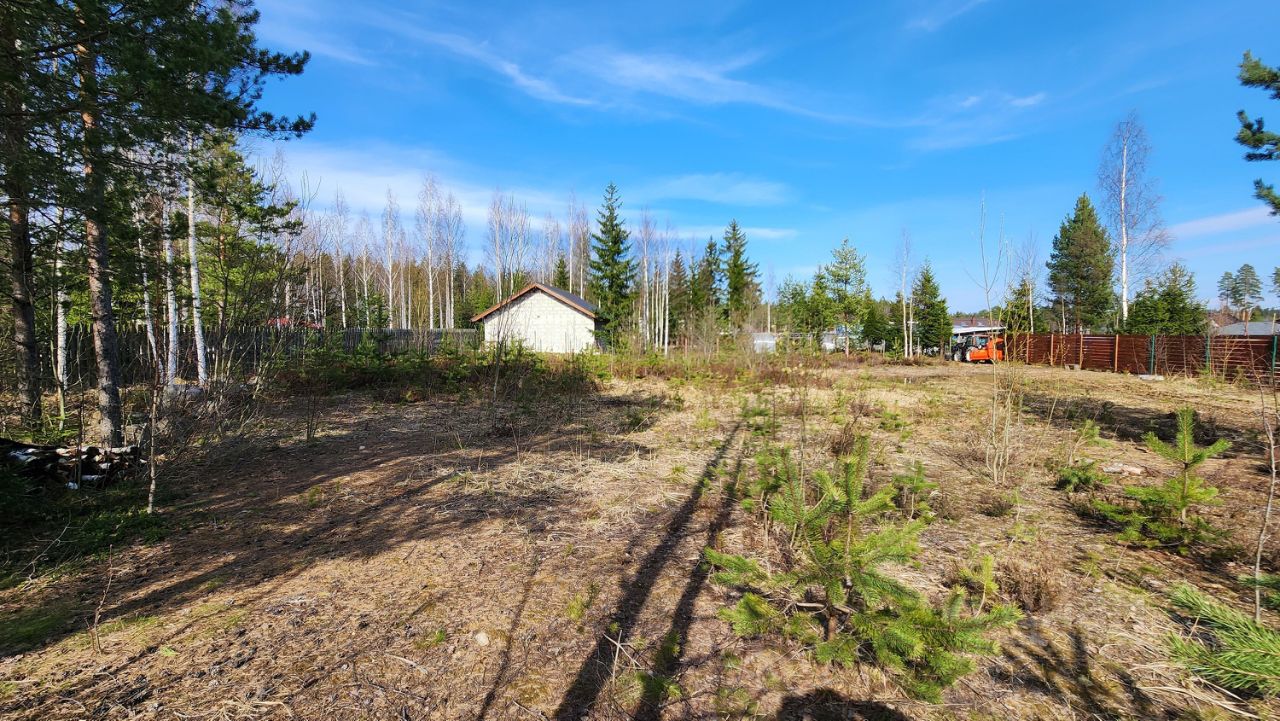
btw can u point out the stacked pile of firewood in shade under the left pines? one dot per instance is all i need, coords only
(72, 466)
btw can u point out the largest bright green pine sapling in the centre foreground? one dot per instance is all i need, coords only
(853, 610)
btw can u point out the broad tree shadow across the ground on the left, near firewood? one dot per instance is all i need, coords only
(360, 492)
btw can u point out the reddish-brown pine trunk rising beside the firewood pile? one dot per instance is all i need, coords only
(106, 344)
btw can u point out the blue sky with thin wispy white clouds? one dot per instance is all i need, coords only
(806, 122)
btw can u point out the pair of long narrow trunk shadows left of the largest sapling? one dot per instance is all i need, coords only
(596, 670)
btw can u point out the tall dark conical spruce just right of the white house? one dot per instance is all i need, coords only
(611, 268)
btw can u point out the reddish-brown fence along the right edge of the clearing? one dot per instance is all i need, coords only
(1251, 358)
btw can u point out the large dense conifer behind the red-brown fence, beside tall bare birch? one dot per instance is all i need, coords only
(1081, 270)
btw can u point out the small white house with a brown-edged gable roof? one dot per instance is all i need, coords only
(543, 320)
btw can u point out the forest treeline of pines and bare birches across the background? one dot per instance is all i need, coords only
(131, 203)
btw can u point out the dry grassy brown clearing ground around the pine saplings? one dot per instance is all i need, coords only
(450, 559)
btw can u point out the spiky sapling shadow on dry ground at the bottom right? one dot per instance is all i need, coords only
(1067, 670)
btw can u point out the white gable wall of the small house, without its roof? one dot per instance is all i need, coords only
(542, 323)
